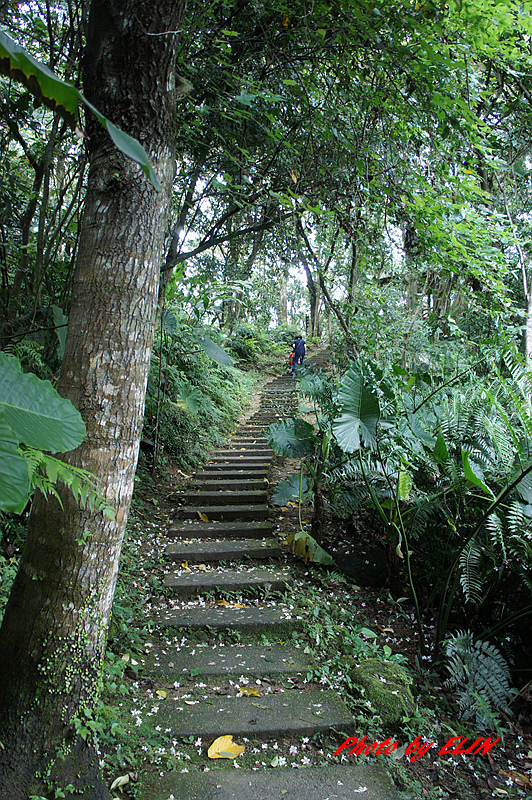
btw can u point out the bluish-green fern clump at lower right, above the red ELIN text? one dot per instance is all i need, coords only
(480, 677)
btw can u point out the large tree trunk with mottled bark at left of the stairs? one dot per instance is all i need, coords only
(53, 636)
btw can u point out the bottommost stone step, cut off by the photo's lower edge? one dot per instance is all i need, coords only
(335, 782)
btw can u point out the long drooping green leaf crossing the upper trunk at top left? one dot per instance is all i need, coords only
(64, 98)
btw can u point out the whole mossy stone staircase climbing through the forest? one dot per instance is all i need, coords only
(224, 517)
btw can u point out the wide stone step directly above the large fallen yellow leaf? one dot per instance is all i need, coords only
(289, 713)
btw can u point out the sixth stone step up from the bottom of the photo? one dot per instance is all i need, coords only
(224, 550)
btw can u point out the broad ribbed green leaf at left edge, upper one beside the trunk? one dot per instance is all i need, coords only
(37, 415)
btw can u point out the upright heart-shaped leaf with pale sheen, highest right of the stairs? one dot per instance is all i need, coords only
(357, 424)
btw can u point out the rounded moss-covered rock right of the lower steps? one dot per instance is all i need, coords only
(387, 687)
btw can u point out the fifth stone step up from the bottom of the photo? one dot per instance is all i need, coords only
(232, 580)
